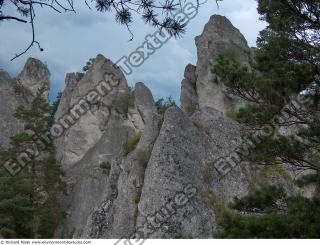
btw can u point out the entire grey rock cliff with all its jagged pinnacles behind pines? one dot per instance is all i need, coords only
(131, 172)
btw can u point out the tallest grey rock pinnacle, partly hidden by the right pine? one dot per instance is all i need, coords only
(218, 37)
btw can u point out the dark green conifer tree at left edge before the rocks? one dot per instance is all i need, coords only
(28, 205)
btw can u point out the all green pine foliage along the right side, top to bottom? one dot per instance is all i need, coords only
(286, 64)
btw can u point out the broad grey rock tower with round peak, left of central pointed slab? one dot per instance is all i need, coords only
(108, 208)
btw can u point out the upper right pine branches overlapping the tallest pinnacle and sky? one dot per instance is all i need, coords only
(286, 63)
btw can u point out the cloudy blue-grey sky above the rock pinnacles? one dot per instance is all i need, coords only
(69, 40)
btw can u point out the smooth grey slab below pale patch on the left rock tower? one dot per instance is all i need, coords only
(91, 192)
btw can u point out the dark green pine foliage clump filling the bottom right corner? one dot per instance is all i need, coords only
(301, 219)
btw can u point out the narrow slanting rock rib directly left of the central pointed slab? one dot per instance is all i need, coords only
(123, 212)
